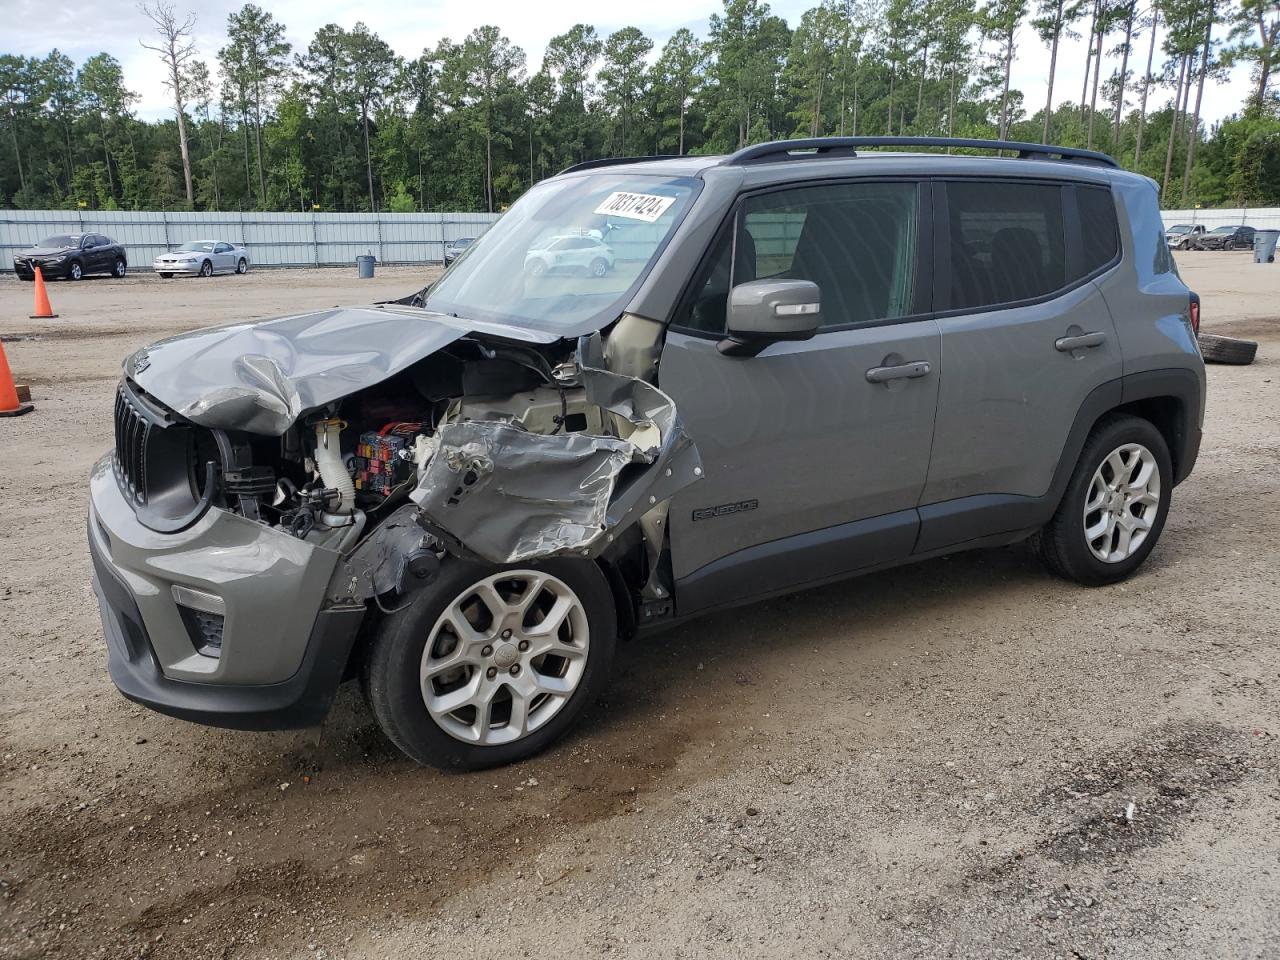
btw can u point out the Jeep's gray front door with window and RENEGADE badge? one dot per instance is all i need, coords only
(815, 454)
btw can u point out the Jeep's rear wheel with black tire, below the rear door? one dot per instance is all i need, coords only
(1064, 545)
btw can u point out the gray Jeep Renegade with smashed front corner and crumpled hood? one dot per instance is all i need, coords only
(808, 360)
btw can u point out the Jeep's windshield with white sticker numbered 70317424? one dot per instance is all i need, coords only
(568, 254)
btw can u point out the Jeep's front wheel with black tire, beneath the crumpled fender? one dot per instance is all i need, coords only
(399, 653)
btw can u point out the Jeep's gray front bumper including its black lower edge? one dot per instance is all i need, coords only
(284, 653)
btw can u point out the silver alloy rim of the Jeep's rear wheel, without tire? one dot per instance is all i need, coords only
(1122, 504)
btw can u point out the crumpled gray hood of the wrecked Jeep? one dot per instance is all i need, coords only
(263, 376)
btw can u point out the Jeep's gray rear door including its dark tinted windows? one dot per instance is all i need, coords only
(1027, 337)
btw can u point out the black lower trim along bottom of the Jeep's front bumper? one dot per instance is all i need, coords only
(303, 701)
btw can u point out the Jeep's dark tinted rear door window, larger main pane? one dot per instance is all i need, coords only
(1007, 243)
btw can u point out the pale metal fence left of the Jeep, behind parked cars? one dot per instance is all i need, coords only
(273, 240)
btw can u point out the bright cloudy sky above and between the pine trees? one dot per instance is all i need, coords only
(36, 26)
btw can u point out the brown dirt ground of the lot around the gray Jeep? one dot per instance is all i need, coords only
(963, 758)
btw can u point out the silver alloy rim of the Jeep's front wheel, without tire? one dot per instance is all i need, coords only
(505, 657)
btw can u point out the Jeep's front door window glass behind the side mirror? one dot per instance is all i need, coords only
(857, 241)
